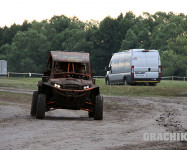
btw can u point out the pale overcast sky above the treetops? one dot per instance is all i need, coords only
(16, 11)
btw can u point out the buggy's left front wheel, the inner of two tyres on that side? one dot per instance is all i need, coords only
(41, 106)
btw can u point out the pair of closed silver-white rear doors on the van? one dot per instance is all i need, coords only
(145, 64)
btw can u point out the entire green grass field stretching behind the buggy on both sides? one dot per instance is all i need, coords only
(165, 88)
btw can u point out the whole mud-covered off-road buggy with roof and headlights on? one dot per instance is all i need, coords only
(67, 84)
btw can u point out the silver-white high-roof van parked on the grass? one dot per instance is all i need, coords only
(134, 66)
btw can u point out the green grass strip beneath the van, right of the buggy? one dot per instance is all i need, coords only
(165, 88)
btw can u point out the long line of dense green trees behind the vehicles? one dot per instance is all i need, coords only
(26, 46)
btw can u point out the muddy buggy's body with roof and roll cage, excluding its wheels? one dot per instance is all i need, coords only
(68, 87)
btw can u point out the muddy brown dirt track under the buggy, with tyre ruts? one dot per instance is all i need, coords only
(126, 119)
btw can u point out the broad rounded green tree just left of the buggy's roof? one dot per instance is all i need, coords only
(29, 52)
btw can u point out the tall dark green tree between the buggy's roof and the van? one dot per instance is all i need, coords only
(106, 44)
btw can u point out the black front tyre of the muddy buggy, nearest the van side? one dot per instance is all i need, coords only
(98, 115)
